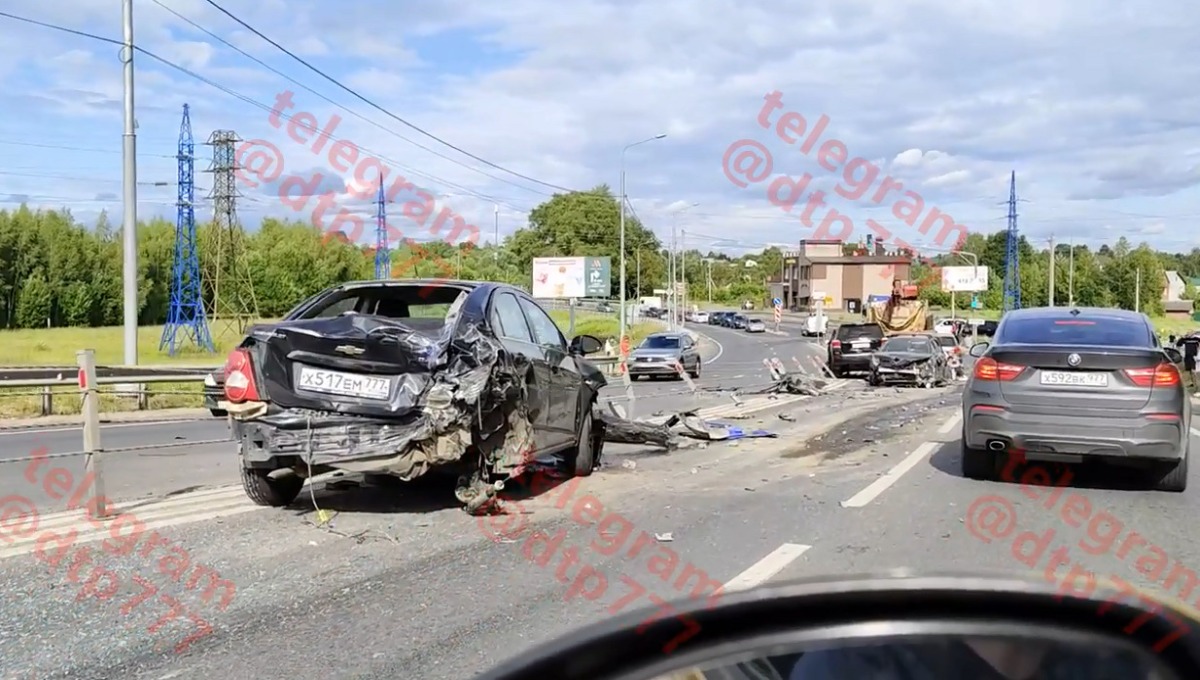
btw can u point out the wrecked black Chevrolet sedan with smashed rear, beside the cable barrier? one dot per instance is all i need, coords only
(404, 378)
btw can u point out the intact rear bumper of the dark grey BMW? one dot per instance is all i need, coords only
(1051, 436)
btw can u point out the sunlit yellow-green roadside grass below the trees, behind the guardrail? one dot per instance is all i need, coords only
(58, 347)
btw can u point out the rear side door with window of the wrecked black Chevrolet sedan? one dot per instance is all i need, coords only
(513, 330)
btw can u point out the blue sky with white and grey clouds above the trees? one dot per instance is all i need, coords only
(496, 106)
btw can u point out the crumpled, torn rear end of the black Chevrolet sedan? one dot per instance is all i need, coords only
(463, 388)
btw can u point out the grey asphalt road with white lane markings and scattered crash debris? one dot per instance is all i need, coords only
(370, 582)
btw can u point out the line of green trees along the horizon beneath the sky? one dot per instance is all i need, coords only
(57, 272)
